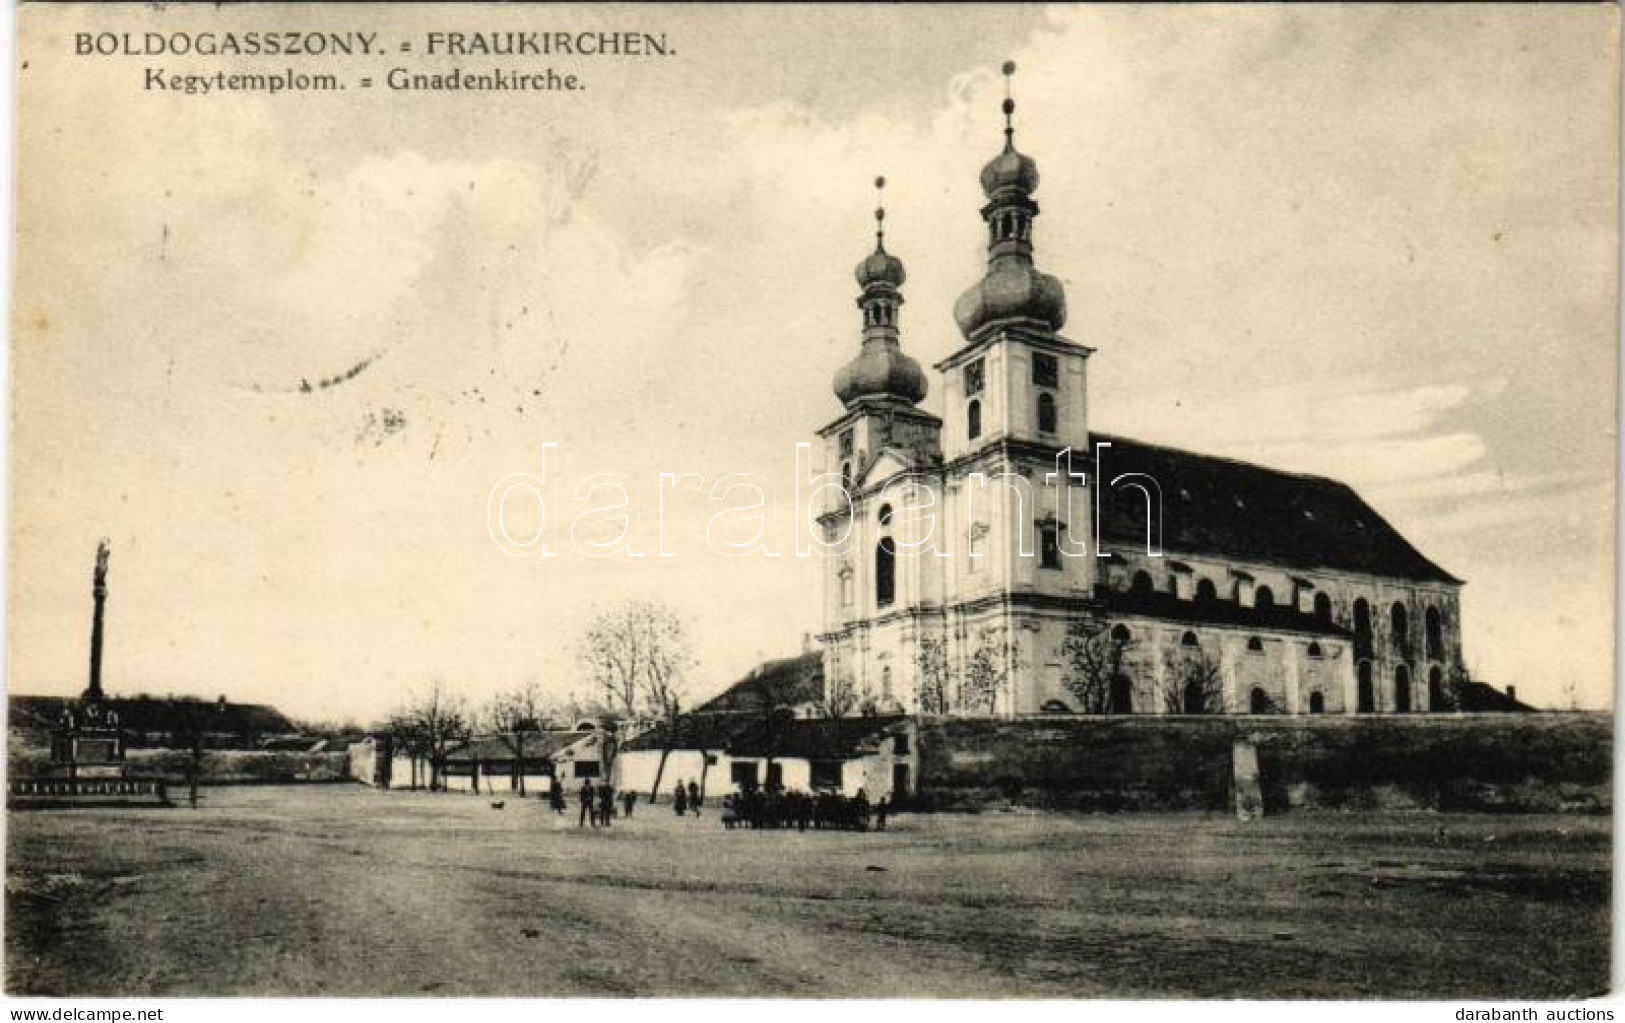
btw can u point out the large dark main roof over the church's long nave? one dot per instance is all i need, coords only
(1242, 512)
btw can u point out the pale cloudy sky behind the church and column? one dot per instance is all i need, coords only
(1367, 243)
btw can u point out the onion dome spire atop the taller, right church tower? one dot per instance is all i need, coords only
(1013, 291)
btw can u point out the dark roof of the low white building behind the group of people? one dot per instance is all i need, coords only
(756, 736)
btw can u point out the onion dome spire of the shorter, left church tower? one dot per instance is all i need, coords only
(880, 369)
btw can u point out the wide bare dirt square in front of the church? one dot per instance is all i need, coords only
(337, 891)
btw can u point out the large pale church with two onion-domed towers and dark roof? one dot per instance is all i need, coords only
(1003, 559)
